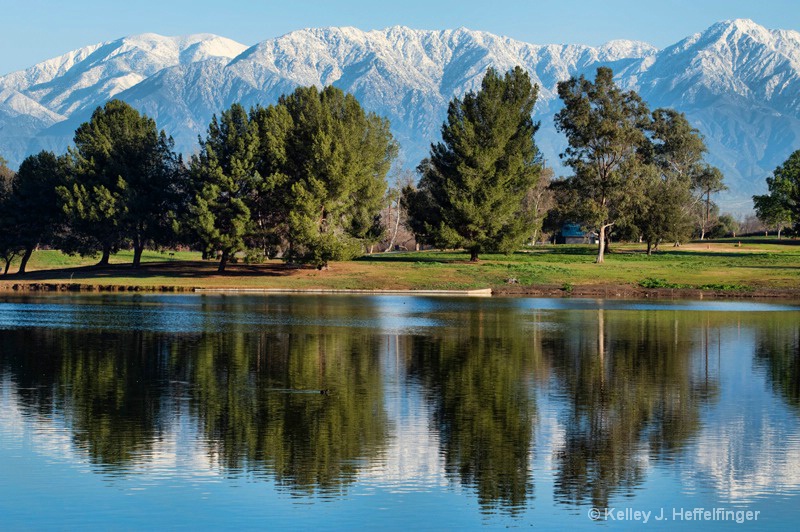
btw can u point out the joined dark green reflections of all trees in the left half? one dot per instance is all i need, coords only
(256, 397)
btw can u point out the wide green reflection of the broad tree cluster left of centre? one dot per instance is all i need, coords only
(306, 407)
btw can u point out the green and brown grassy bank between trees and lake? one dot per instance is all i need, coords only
(721, 266)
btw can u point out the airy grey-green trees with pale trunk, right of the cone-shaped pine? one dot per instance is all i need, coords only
(633, 171)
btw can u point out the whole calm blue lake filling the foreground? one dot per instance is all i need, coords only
(132, 412)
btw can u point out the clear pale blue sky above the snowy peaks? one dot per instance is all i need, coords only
(34, 30)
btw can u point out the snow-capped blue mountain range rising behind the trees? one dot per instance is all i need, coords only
(737, 82)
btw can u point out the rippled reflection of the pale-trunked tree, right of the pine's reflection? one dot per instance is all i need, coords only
(631, 396)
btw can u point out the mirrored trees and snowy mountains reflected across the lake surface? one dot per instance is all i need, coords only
(317, 395)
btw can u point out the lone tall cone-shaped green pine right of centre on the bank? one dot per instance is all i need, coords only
(477, 178)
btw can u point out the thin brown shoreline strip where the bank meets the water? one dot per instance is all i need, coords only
(603, 290)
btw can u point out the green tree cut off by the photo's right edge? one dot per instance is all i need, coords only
(782, 204)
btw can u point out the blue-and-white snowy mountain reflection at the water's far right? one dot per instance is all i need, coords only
(749, 446)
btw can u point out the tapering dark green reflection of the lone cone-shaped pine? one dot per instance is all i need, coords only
(478, 379)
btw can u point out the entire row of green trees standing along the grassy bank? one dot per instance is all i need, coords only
(306, 179)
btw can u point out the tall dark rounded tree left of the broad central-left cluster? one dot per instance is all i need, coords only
(124, 183)
